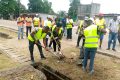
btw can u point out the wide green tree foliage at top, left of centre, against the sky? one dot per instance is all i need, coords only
(40, 6)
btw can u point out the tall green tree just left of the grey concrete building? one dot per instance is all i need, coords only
(73, 8)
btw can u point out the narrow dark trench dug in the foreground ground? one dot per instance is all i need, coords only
(50, 73)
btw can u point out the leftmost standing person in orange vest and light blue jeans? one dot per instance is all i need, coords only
(20, 24)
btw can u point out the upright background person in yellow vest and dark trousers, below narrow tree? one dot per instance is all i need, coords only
(69, 24)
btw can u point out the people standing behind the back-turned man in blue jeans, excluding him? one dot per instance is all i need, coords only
(113, 26)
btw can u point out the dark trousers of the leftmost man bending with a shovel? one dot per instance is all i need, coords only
(31, 47)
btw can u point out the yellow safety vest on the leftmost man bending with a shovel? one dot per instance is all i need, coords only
(38, 35)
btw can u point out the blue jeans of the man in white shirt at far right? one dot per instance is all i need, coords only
(112, 37)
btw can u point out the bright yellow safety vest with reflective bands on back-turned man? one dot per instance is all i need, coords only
(91, 37)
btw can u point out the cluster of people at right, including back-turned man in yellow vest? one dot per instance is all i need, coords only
(92, 31)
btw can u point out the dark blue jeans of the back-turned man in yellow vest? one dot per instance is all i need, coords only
(89, 52)
